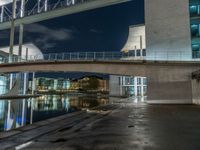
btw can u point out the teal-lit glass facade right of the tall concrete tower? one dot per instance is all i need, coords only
(195, 27)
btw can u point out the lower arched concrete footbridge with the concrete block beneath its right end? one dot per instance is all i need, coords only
(169, 83)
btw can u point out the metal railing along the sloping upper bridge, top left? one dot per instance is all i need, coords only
(34, 11)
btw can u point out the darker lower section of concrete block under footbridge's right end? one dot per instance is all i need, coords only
(169, 92)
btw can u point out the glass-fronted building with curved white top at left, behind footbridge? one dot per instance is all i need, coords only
(7, 81)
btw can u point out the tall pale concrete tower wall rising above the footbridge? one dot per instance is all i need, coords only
(167, 29)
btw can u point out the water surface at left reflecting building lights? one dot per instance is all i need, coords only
(18, 113)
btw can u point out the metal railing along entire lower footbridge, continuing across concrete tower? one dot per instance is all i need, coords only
(106, 56)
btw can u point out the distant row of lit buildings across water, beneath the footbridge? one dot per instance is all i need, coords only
(65, 84)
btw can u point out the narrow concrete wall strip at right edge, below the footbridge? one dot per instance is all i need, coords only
(196, 91)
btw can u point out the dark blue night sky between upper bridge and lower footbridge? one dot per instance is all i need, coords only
(104, 29)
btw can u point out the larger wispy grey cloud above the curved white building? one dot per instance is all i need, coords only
(48, 37)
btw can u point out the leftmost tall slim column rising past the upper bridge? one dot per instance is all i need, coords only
(12, 32)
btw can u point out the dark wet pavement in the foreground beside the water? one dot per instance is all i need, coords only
(122, 125)
